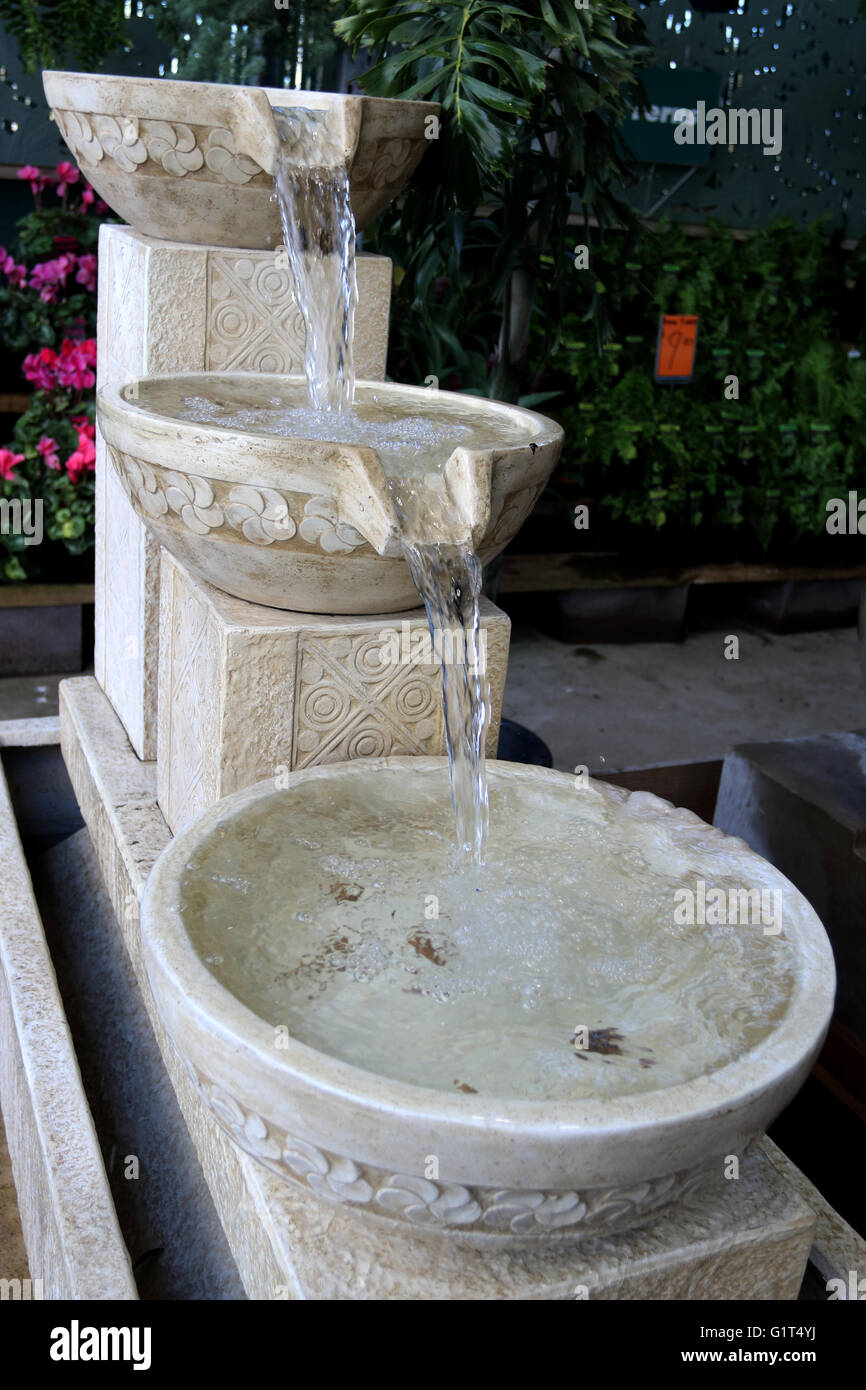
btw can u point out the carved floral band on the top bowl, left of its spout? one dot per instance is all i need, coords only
(177, 149)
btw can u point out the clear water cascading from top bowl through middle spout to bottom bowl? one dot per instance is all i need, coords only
(319, 229)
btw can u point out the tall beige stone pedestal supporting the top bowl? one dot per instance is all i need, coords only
(172, 308)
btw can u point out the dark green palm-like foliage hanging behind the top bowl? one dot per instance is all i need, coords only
(532, 95)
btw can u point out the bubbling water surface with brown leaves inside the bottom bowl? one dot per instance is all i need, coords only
(336, 913)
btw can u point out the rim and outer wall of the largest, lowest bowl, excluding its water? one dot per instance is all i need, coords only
(636, 1149)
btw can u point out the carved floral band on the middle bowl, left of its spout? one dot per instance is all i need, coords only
(261, 515)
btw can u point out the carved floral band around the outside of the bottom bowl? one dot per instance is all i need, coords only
(441, 1206)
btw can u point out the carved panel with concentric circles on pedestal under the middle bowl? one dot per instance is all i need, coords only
(351, 703)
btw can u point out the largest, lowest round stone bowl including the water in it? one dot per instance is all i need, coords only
(558, 1046)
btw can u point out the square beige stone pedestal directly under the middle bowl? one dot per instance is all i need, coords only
(247, 692)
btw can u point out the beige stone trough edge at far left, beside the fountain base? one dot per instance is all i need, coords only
(70, 1227)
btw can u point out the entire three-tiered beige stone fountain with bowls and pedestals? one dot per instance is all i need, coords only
(402, 1081)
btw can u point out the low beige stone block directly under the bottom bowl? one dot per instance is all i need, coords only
(742, 1241)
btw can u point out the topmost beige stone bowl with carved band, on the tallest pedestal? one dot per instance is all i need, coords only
(194, 162)
